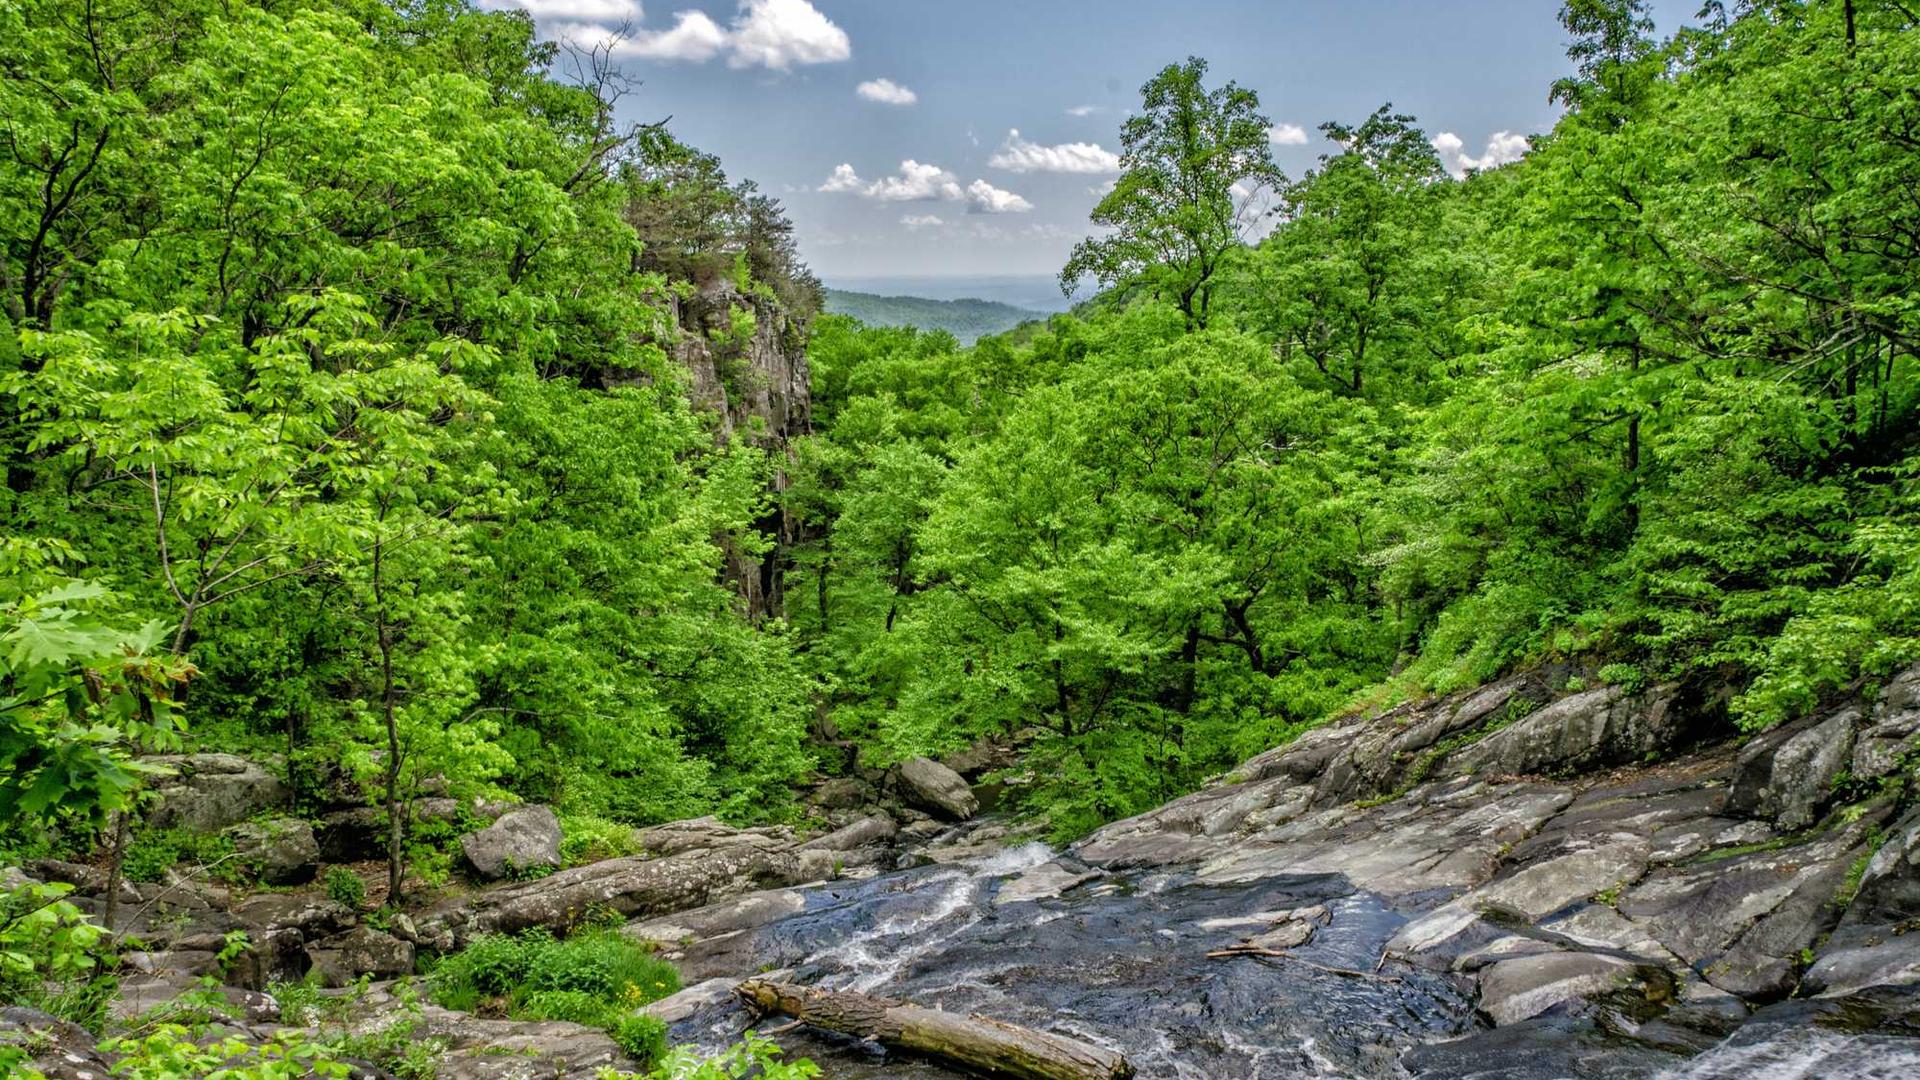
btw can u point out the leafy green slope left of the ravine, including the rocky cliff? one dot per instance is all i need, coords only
(348, 412)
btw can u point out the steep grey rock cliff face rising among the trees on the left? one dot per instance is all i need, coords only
(748, 364)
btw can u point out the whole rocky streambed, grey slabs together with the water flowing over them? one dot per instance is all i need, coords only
(1497, 885)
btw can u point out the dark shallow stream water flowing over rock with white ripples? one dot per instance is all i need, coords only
(1122, 962)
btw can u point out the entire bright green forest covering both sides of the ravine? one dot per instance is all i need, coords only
(381, 403)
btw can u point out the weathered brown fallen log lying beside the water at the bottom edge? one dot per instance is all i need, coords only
(984, 1046)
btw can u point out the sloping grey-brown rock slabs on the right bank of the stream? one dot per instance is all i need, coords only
(1552, 873)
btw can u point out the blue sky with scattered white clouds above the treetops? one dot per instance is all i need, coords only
(886, 126)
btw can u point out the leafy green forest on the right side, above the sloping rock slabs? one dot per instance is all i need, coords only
(1644, 401)
